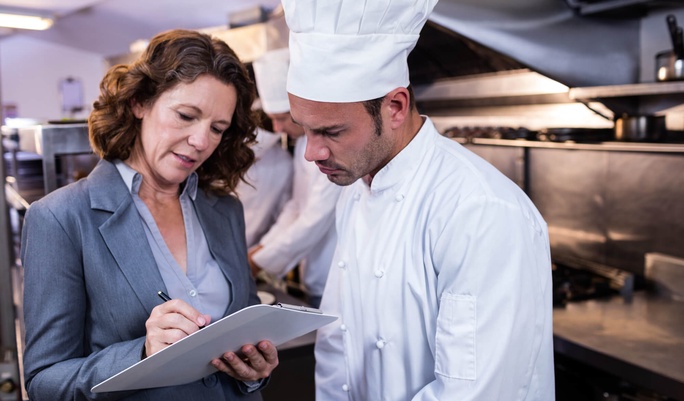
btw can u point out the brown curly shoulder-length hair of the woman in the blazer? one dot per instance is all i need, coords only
(173, 57)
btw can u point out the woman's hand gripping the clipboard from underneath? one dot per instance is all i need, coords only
(256, 362)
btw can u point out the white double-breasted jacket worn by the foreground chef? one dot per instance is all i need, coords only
(442, 282)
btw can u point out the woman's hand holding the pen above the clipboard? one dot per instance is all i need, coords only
(169, 322)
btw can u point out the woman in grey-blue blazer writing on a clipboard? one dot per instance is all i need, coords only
(173, 130)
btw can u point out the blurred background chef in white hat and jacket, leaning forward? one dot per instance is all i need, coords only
(303, 236)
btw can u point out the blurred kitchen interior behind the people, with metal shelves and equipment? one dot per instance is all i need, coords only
(580, 102)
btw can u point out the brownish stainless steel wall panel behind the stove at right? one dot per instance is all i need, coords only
(609, 207)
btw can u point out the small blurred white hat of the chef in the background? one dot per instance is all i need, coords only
(270, 72)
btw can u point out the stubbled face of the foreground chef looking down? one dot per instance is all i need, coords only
(342, 139)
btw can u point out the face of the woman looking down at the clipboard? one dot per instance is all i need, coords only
(181, 129)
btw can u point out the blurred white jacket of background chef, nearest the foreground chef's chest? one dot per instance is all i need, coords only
(305, 230)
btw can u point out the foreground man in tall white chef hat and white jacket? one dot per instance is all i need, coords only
(442, 275)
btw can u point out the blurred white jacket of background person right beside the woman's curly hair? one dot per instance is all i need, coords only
(271, 185)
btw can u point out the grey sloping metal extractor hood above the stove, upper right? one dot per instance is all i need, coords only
(546, 36)
